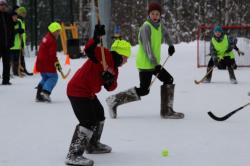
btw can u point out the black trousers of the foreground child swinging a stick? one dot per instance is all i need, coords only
(89, 112)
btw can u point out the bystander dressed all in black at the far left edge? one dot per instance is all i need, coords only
(6, 40)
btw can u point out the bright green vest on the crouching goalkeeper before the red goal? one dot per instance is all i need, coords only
(221, 48)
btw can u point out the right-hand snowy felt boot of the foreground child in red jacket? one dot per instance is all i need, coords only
(95, 146)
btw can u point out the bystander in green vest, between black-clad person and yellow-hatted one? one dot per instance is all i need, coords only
(16, 49)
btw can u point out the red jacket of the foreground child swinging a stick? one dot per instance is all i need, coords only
(87, 81)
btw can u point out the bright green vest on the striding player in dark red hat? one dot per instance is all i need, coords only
(142, 60)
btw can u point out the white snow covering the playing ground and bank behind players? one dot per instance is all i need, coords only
(40, 133)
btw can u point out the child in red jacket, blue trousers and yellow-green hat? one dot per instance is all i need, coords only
(47, 63)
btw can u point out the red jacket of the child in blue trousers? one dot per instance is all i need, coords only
(46, 57)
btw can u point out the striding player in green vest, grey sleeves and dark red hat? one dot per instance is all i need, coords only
(151, 35)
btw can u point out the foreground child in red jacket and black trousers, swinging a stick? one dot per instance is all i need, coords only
(82, 89)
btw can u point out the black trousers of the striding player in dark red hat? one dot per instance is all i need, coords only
(146, 77)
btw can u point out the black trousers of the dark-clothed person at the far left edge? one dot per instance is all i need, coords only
(6, 66)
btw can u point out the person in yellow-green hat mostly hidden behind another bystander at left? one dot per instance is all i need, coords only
(22, 13)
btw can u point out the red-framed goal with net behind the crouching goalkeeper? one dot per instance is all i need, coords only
(204, 35)
